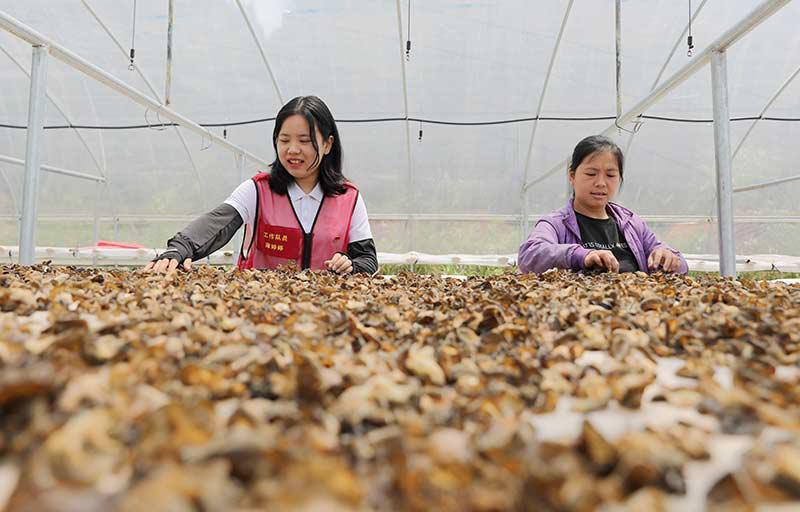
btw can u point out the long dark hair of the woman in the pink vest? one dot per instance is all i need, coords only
(319, 117)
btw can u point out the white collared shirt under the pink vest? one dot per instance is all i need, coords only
(243, 199)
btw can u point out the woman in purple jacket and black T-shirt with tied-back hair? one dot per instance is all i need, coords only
(592, 233)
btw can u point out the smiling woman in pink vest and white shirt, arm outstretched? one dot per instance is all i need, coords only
(304, 212)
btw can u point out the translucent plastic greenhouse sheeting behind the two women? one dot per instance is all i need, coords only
(470, 62)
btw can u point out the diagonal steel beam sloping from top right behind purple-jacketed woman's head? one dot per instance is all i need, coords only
(757, 16)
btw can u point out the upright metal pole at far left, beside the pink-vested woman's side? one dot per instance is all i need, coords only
(33, 154)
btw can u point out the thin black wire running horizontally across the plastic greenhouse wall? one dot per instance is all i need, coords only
(398, 119)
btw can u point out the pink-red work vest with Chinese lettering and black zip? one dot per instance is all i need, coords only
(279, 238)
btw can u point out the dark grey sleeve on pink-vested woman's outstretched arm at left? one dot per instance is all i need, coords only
(205, 234)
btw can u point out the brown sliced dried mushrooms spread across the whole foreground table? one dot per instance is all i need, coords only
(225, 390)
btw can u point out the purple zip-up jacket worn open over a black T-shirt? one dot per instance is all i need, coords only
(556, 241)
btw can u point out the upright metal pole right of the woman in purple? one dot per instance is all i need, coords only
(722, 156)
